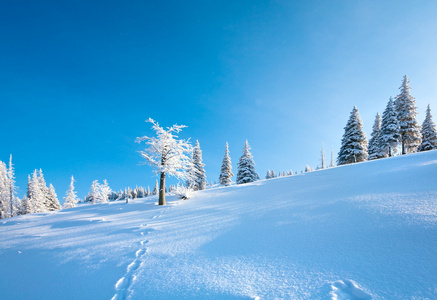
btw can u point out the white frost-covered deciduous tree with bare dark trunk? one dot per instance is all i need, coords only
(166, 153)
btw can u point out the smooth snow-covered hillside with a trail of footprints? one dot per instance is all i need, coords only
(363, 231)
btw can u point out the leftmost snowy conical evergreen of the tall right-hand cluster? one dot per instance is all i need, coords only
(354, 143)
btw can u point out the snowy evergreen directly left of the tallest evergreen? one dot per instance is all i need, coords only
(389, 133)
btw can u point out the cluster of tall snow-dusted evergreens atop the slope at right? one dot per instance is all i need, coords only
(398, 127)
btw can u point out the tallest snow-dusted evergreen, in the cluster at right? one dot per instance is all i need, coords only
(406, 109)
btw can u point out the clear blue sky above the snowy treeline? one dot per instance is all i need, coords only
(79, 78)
